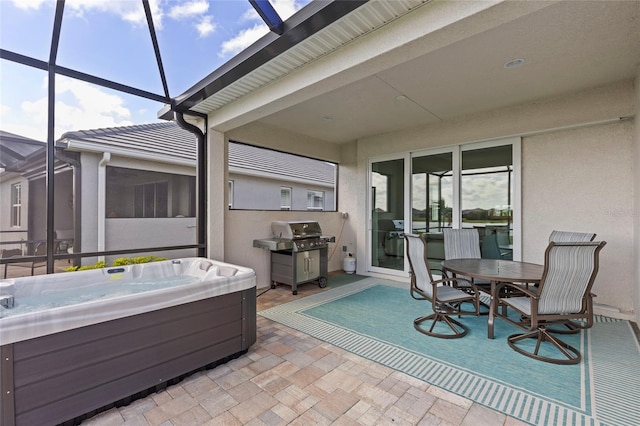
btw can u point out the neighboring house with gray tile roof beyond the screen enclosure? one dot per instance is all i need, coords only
(125, 174)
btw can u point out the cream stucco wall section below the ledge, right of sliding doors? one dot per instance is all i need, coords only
(582, 180)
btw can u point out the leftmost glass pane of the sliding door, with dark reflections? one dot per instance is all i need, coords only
(387, 214)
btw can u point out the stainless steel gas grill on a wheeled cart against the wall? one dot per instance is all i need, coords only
(298, 253)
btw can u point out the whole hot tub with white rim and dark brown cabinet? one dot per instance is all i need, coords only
(77, 342)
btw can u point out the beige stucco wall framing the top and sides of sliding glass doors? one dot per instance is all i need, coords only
(595, 161)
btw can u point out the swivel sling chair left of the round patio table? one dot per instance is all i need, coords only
(445, 299)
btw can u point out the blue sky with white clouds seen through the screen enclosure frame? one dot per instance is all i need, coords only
(110, 39)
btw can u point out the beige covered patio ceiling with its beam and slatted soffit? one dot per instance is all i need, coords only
(387, 66)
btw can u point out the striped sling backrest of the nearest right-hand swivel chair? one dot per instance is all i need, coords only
(569, 272)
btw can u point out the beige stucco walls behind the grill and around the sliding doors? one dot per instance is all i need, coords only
(577, 175)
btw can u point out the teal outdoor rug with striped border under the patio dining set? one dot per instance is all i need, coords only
(374, 319)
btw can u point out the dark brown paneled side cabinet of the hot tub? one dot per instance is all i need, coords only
(55, 378)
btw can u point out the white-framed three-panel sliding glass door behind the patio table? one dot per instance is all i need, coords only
(463, 186)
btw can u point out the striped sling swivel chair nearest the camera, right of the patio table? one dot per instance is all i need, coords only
(564, 294)
